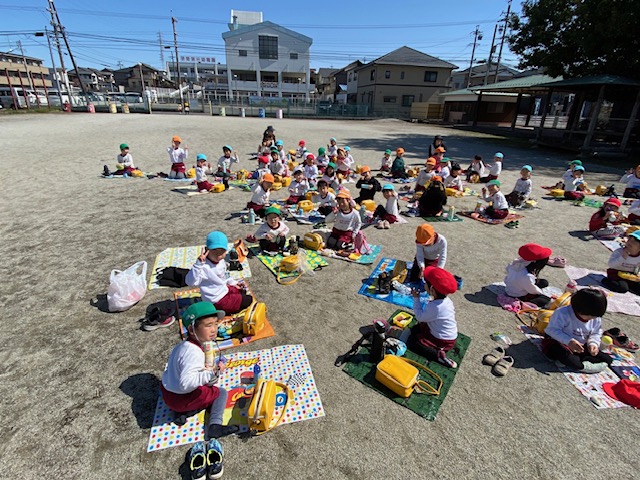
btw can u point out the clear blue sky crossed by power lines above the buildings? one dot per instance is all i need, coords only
(123, 33)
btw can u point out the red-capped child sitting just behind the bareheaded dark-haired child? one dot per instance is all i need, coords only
(522, 280)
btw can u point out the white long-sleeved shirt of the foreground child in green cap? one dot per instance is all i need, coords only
(185, 369)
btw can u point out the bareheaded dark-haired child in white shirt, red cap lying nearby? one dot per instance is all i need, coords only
(574, 332)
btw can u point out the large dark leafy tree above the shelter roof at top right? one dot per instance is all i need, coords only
(575, 38)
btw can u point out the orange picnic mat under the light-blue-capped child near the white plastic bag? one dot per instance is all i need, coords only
(234, 335)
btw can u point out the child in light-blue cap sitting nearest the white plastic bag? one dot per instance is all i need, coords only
(210, 274)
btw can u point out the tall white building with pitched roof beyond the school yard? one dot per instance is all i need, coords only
(265, 59)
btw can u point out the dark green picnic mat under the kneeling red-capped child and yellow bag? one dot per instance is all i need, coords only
(426, 406)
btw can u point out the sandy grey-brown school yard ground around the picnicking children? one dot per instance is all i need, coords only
(78, 386)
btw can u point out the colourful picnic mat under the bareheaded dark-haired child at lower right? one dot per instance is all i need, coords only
(589, 384)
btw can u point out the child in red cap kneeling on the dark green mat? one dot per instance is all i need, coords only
(437, 330)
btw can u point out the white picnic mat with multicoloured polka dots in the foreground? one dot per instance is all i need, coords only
(288, 364)
